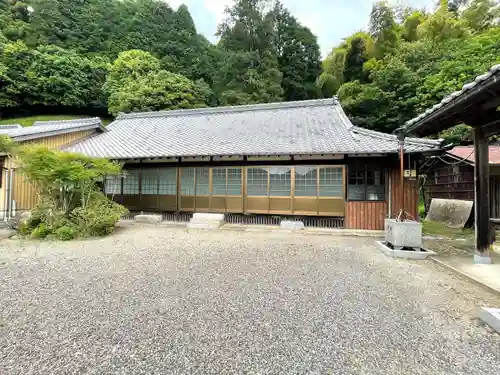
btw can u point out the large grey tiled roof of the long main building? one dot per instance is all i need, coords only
(293, 128)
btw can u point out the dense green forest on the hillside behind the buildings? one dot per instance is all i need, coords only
(109, 56)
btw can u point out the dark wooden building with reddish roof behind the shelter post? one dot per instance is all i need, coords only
(451, 176)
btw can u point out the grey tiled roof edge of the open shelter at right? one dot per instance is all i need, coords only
(480, 81)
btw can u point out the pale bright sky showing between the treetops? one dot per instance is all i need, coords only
(329, 20)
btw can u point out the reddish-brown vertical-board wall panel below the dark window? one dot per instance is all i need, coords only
(365, 215)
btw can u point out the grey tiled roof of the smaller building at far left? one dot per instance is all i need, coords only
(42, 129)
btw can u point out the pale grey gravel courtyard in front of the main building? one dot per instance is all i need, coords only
(166, 301)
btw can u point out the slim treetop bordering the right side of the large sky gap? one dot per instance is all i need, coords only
(384, 29)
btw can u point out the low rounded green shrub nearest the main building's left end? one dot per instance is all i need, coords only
(99, 217)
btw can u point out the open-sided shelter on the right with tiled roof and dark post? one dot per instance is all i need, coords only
(475, 104)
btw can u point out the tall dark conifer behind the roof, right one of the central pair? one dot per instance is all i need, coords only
(298, 55)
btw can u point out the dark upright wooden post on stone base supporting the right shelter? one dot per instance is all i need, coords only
(482, 196)
